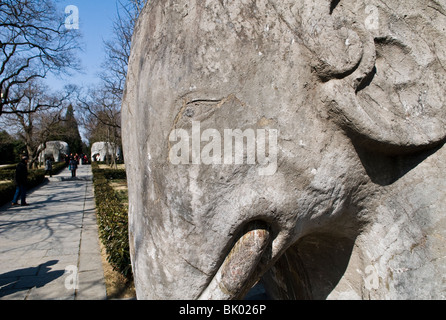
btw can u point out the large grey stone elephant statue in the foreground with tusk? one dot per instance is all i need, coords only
(295, 143)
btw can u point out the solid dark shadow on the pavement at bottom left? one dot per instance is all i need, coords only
(28, 278)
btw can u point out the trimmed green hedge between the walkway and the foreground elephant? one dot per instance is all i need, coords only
(112, 220)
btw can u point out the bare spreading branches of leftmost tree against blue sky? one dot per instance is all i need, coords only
(33, 42)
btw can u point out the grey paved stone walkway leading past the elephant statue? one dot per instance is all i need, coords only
(44, 246)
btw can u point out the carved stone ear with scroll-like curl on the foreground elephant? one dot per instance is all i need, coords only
(382, 82)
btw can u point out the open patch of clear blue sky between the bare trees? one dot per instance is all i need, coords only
(95, 24)
